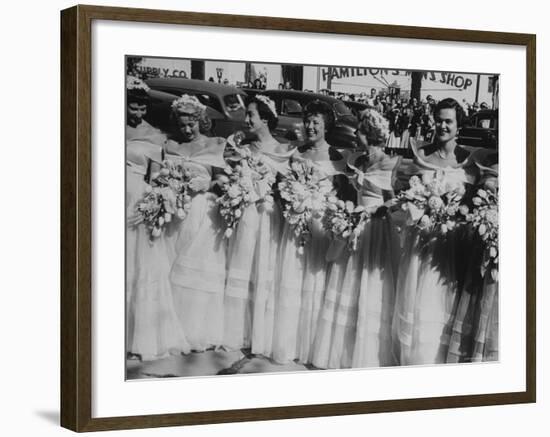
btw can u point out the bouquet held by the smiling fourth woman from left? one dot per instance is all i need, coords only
(304, 191)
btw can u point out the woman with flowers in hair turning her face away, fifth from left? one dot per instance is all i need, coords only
(355, 324)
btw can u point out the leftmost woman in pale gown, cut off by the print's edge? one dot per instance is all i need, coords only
(153, 330)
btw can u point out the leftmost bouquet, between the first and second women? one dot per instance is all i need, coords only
(165, 197)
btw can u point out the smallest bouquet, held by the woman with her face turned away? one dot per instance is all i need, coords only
(344, 220)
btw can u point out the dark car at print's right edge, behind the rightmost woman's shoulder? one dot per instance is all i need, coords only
(481, 130)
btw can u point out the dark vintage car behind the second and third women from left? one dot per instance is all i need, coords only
(226, 101)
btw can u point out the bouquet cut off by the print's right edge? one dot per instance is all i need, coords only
(484, 219)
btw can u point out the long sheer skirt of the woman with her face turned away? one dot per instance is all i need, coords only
(354, 329)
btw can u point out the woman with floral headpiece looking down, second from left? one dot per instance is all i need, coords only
(198, 270)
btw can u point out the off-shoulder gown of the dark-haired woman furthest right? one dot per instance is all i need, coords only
(427, 287)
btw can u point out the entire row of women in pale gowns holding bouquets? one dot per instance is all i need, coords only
(310, 254)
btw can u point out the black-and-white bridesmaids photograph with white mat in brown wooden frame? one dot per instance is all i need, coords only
(268, 218)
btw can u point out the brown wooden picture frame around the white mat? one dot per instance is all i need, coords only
(76, 217)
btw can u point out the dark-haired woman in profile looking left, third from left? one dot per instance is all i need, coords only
(253, 248)
